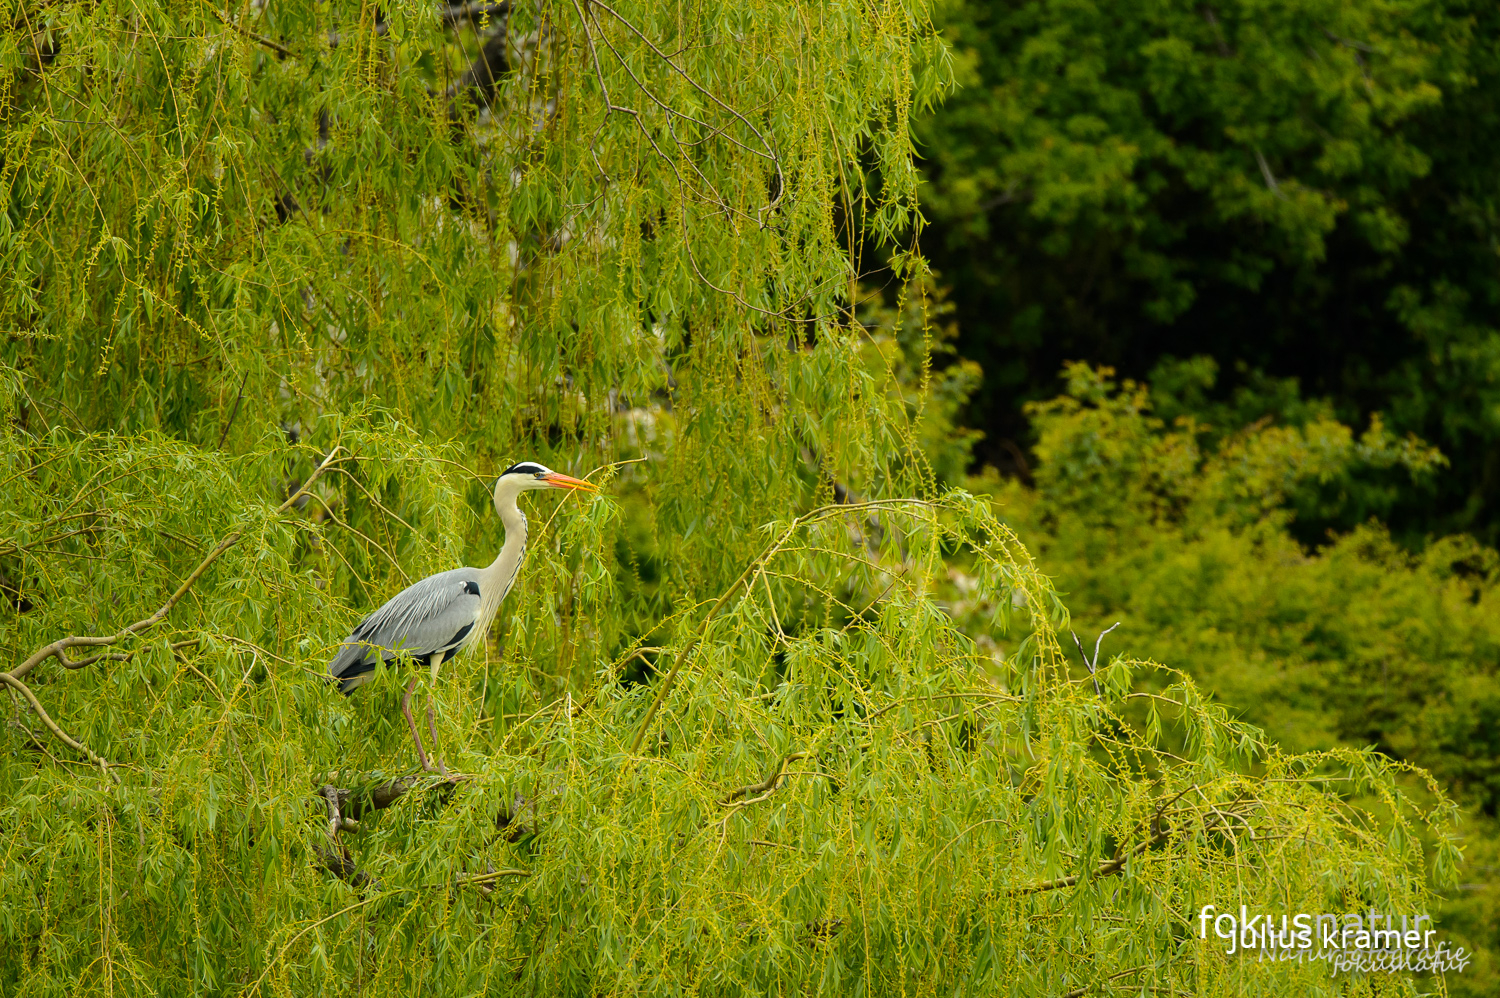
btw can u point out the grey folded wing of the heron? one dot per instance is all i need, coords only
(430, 618)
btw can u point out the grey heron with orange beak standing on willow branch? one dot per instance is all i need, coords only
(448, 613)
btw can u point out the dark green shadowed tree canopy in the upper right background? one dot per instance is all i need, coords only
(1301, 194)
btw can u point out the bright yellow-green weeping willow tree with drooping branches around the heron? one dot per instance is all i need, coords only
(286, 283)
